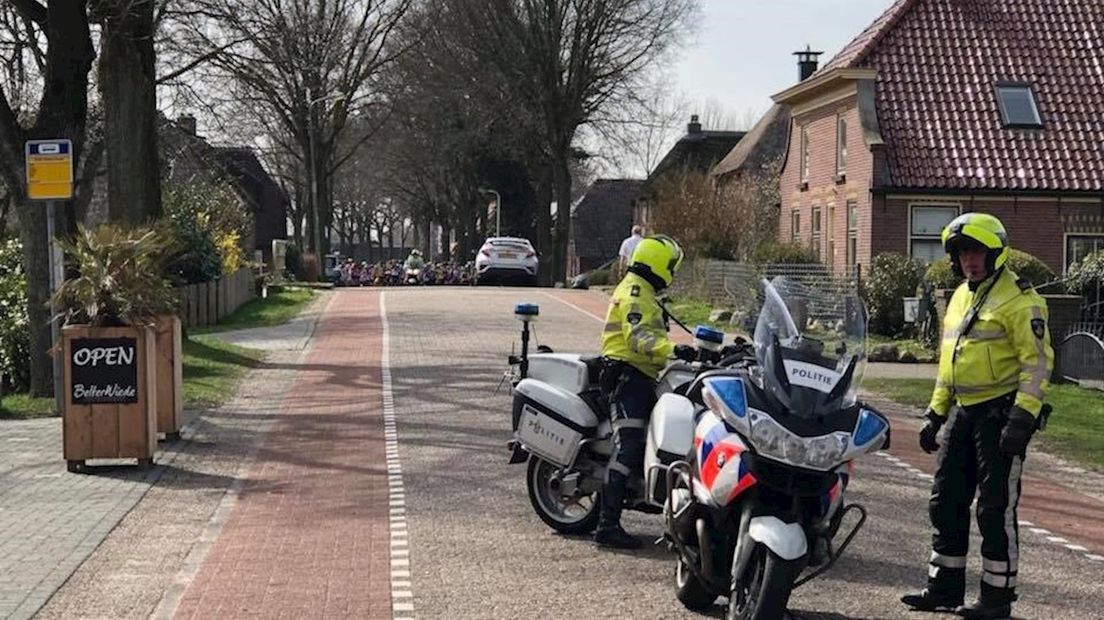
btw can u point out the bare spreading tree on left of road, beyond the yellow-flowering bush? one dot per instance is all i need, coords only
(310, 66)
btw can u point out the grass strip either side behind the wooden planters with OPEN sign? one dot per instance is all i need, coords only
(213, 372)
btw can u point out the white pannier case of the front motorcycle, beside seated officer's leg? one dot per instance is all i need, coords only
(671, 439)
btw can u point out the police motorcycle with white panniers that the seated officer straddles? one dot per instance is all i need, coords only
(562, 426)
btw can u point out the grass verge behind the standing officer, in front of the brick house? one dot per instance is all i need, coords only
(1076, 431)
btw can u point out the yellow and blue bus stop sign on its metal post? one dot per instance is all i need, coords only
(50, 178)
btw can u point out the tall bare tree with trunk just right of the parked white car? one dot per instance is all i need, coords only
(567, 61)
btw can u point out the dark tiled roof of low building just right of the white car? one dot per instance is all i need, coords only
(603, 218)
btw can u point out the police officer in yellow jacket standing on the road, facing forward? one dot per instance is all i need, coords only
(995, 362)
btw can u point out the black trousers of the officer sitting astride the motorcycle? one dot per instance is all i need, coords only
(632, 399)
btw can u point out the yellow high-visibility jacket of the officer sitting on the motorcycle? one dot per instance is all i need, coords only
(635, 333)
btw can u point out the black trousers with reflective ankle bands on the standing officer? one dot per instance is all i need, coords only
(972, 463)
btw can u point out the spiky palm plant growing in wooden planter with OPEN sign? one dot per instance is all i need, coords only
(121, 279)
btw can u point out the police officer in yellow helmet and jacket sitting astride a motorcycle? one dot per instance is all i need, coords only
(636, 348)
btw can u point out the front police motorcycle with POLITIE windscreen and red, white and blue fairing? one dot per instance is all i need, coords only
(759, 496)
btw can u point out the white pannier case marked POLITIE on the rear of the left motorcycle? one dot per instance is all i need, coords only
(550, 422)
